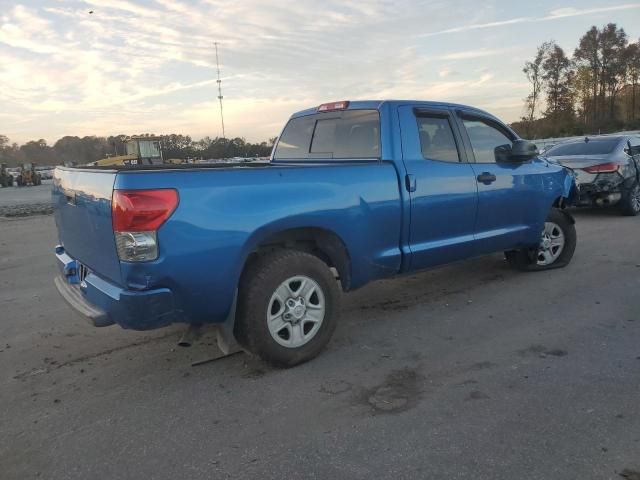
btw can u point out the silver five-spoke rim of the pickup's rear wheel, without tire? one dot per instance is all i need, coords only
(296, 311)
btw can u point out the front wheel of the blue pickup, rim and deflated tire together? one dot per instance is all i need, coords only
(555, 250)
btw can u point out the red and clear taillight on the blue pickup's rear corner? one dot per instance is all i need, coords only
(136, 217)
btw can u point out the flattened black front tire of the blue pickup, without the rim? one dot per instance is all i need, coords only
(526, 259)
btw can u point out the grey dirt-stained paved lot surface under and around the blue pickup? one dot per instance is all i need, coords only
(469, 371)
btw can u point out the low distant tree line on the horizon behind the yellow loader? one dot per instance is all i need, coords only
(82, 150)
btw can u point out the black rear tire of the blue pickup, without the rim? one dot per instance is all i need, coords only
(259, 284)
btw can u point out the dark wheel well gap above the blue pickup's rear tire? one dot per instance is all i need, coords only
(325, 245)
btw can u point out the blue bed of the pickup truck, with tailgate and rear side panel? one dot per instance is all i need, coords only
(224, 212)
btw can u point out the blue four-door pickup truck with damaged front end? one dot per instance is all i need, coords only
(354, 192)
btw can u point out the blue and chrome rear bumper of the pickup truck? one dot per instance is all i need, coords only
(102, 303)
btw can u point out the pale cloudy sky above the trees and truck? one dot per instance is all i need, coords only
(137, 66)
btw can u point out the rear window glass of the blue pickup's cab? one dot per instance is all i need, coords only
(352, 134)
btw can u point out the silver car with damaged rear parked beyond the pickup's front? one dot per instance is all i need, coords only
(607, 169)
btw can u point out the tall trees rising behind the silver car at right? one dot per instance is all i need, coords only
(593, 91)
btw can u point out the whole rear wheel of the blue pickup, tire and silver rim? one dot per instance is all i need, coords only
(288, 305)
